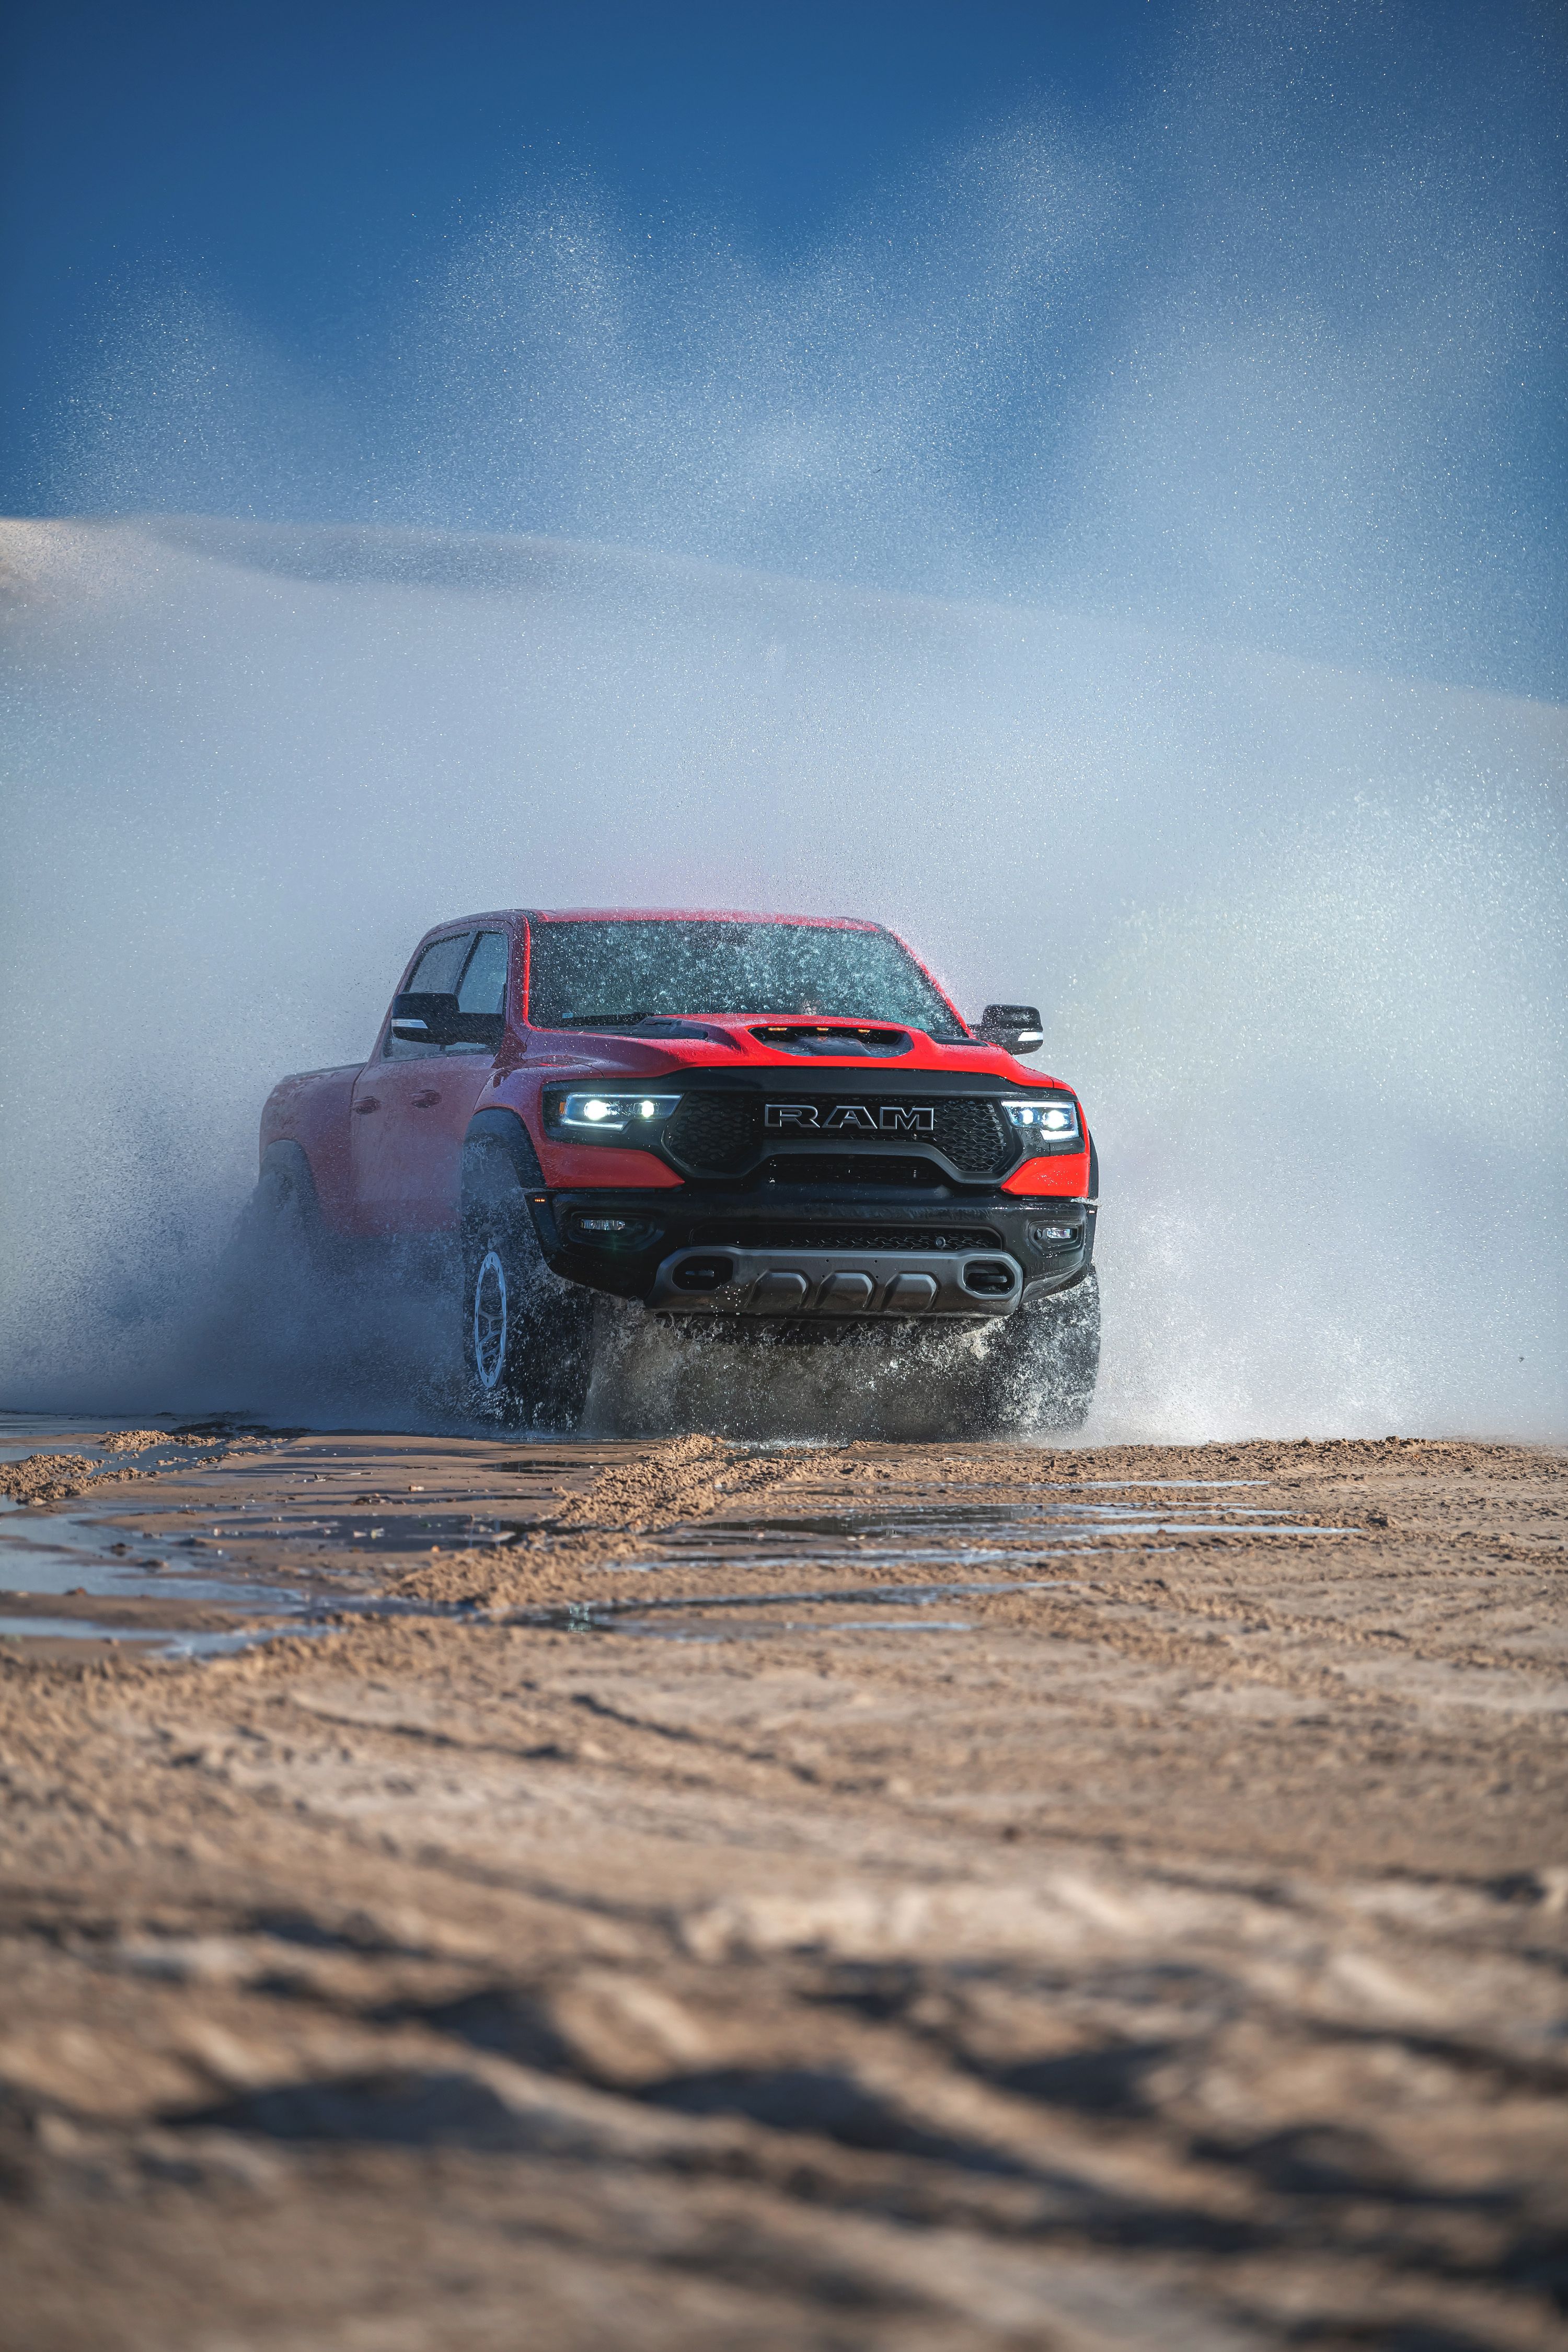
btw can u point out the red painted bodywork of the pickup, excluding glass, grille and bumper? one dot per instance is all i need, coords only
(384, 1140)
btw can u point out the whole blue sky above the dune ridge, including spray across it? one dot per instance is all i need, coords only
(1233, 314)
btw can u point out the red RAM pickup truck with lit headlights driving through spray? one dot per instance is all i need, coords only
(751, 1125)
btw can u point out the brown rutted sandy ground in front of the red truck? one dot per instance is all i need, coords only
(878, 1899)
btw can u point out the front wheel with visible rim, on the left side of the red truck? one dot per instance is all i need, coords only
(528, 1337)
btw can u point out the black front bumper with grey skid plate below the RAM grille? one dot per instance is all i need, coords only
(619, 1241)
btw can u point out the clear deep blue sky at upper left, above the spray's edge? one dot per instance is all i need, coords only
(300, 159)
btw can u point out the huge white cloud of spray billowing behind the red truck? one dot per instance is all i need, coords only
(1094, 561)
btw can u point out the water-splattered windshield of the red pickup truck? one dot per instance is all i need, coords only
(615, 975)
